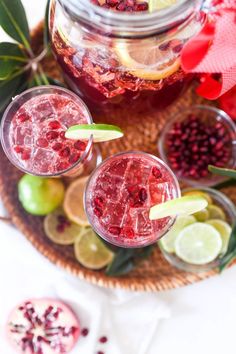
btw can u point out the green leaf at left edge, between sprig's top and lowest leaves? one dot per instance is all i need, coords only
(11, 58)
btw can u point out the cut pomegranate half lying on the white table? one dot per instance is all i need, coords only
(43, 326)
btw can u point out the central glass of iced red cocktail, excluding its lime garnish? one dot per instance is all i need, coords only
(121, 192)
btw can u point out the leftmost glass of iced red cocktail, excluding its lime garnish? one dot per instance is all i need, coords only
(33, 133)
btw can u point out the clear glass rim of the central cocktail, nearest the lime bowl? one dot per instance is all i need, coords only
(130, 152)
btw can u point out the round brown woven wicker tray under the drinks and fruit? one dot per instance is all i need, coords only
(154, 274)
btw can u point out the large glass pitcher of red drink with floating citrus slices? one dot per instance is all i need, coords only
(118, 54)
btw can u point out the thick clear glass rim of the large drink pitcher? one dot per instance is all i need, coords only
(132, 22)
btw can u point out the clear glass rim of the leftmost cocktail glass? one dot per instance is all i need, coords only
(11, 105)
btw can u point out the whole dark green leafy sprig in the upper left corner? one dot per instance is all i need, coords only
(20, 67)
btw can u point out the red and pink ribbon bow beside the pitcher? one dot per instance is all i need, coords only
(213, 51)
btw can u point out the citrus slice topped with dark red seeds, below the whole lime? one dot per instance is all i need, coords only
(59, 229)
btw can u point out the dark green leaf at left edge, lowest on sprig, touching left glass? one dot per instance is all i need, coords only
(8, 90)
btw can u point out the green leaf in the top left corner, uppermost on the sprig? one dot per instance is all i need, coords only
(14, 22)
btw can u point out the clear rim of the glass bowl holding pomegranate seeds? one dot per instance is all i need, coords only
(219, 112)
